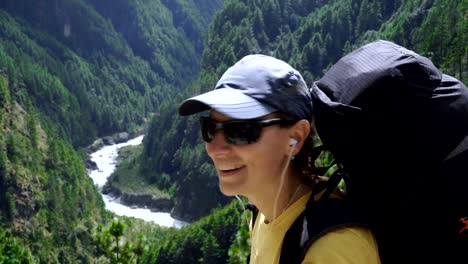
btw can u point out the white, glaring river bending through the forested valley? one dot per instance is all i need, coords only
(105, 158)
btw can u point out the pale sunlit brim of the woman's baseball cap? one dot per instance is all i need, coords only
(228, 101)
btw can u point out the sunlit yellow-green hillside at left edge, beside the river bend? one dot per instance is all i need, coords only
(47, 200)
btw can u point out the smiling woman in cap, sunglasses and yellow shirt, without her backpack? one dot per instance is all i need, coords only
(258, 134)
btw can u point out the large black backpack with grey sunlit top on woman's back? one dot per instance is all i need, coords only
(399, 128)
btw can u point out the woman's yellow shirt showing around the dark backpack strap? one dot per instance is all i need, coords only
(345, 245)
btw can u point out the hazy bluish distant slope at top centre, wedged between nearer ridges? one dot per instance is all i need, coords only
(172, 41)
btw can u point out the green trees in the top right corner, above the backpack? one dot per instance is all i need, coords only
(435, 29)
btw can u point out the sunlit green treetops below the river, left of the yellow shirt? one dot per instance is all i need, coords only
(217, 238)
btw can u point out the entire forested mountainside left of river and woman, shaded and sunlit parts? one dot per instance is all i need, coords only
(72, 71)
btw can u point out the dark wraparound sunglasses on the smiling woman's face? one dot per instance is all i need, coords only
(236, 132)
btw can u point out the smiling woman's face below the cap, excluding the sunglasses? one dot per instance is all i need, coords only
(249, 169)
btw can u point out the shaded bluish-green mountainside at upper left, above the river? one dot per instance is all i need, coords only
(94, 71)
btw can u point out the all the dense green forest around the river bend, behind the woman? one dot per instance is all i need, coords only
(75, 70)
